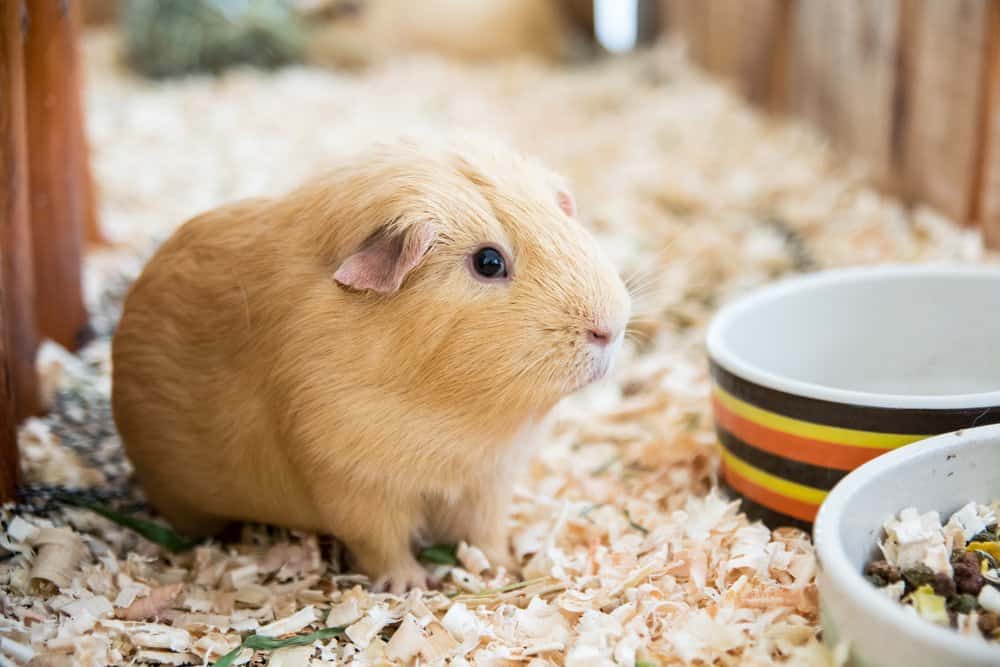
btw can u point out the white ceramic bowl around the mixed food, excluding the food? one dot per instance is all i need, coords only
(942, 473)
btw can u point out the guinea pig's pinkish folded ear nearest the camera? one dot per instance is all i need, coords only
(382, 263)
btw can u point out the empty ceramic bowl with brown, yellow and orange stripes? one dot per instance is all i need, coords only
(815, 375)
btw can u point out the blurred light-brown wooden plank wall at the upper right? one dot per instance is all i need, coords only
(911, 86)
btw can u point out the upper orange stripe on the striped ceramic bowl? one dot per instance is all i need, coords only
(797, 448)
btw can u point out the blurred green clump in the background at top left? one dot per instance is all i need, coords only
(167, 38)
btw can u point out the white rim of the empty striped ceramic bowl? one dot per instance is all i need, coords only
(722, 354)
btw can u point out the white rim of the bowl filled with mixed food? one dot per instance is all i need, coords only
(835, 564)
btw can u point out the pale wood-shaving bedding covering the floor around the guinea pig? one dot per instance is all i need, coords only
(632, 557)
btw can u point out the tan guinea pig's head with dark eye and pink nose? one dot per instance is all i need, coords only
(494, 299)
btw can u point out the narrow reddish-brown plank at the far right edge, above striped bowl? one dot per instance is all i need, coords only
(988, 185)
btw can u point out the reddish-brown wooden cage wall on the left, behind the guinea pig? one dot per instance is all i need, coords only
(47, 207)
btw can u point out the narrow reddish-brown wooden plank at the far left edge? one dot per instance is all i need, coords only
(15, 234)
